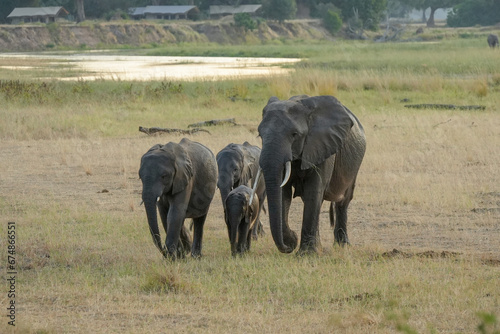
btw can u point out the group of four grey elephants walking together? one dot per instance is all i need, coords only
(312, 147)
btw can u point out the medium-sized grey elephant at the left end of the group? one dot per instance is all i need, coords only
(183, 178)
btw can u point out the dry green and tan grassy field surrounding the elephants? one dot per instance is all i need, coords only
(424, 223)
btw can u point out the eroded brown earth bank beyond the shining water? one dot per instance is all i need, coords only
(92, 35)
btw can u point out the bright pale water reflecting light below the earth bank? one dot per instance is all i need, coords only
(119, 67)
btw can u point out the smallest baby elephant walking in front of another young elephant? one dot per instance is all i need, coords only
(241, 218)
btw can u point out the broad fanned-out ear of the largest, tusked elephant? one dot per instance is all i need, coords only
(329, 124)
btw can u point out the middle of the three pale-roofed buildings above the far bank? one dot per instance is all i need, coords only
(164, 12)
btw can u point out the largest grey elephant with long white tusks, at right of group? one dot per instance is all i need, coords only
(325, 144)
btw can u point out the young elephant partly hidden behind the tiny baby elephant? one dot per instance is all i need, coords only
(238, 165)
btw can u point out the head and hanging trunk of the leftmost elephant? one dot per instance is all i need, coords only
(165, 170)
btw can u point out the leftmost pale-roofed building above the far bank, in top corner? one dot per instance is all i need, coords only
(37, 14)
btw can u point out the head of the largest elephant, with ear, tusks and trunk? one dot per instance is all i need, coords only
(304, 131)
